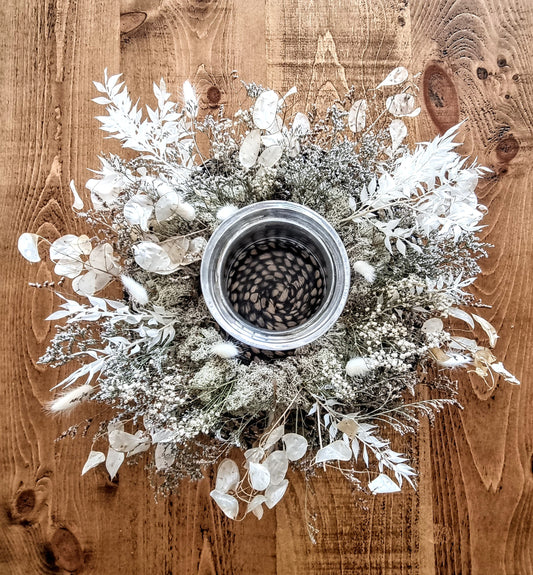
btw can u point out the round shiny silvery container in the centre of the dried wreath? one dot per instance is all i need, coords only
(275, 275)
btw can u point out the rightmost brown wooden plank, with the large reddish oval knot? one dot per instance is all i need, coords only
(476, 59)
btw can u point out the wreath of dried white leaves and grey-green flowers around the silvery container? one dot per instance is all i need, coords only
(408, 220)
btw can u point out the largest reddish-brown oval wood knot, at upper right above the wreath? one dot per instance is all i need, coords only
(440, 97)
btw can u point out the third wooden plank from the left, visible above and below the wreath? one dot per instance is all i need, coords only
(324, 50)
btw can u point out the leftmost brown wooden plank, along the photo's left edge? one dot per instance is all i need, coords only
(54, 48)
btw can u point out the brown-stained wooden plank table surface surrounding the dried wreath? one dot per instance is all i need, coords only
(474, 507)
